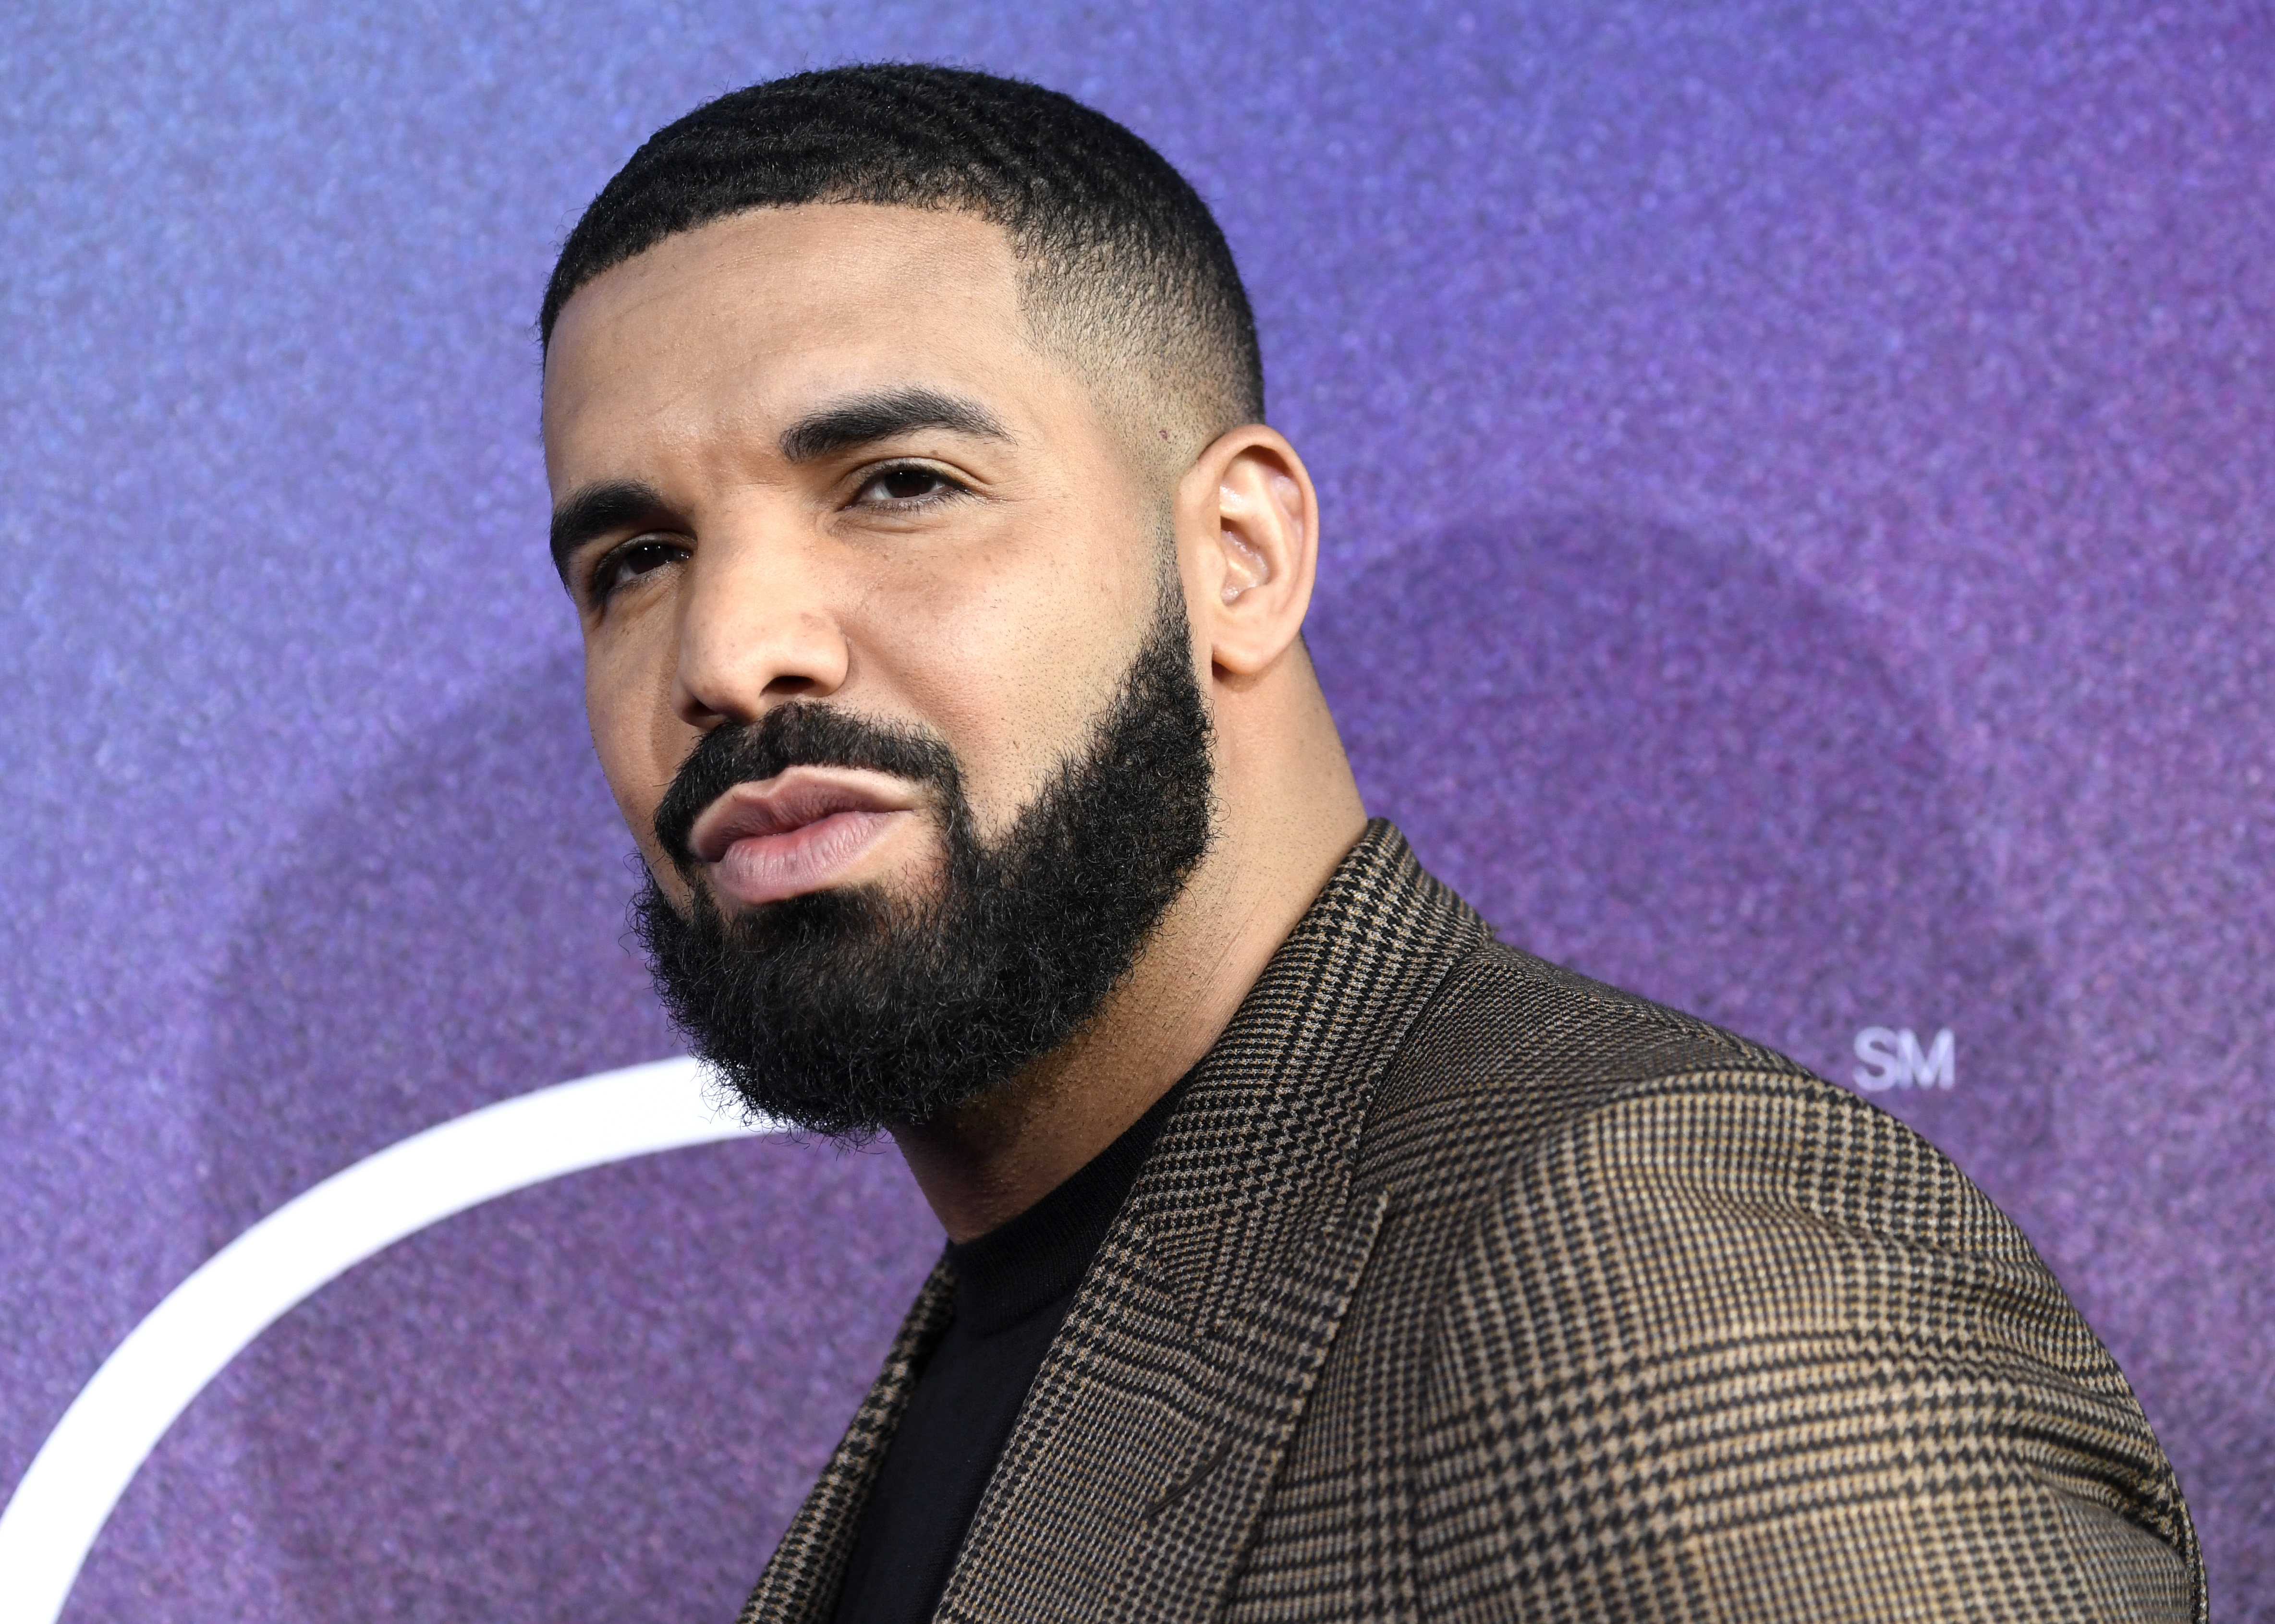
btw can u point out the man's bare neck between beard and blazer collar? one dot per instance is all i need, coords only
(993, 1159)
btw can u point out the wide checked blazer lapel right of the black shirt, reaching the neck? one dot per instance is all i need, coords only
(1152, 1436)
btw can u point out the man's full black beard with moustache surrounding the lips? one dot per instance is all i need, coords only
(850, 1011)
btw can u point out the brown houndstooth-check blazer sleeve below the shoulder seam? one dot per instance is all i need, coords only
(1744, 1348)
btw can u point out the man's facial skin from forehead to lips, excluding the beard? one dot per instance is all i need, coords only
(986, 581)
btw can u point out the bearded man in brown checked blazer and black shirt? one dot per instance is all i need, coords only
(1312, 1254)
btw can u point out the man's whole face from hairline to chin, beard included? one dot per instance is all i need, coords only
(886, 658)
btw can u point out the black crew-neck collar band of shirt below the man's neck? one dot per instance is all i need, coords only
(1043, 1254)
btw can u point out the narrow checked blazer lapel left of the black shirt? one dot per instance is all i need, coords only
(809, 1566)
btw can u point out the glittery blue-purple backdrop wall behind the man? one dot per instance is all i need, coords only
(1798, 499)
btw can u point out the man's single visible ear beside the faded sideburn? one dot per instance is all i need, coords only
(1248, 540)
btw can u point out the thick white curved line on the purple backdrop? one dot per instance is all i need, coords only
(126, 1409)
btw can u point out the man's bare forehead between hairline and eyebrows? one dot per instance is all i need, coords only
(743, 322)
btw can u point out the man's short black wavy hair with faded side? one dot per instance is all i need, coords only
(1114, 245)
